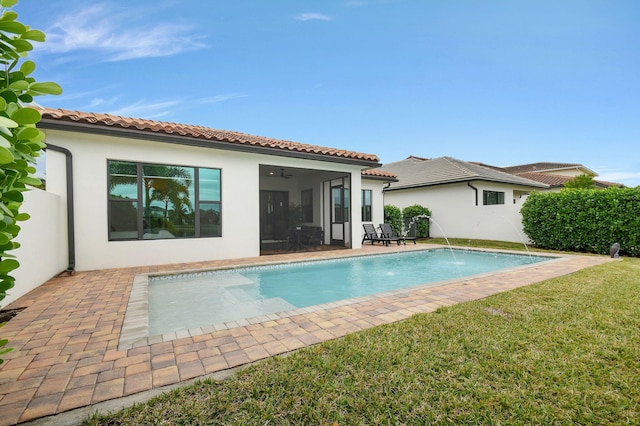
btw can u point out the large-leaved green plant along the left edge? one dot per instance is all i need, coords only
(20, 141)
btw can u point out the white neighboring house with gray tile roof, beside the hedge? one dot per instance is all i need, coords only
(467, 200)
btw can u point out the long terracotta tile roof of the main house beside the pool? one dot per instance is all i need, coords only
(198, 132)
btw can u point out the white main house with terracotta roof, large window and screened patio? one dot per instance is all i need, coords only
(131, 192)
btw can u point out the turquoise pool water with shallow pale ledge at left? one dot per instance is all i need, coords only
(179, 302)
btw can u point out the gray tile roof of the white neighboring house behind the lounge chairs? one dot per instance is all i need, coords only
(416, 172)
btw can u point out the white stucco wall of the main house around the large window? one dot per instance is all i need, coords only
(240, 188)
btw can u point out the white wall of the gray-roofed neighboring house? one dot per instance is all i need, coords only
(456, 215)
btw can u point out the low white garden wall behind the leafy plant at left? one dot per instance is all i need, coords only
(42, 253)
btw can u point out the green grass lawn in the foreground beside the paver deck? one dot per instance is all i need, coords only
(564, 351)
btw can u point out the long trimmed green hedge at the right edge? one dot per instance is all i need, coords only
(584, 220)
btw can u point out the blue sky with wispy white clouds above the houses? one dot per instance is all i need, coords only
(500, 82)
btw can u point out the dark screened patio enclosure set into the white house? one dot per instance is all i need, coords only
(301, 209)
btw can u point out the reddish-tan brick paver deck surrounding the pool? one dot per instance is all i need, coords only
(68, 353)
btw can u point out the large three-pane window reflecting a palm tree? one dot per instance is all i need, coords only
(152, 201)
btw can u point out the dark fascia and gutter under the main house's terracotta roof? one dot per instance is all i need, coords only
(46, 123)
